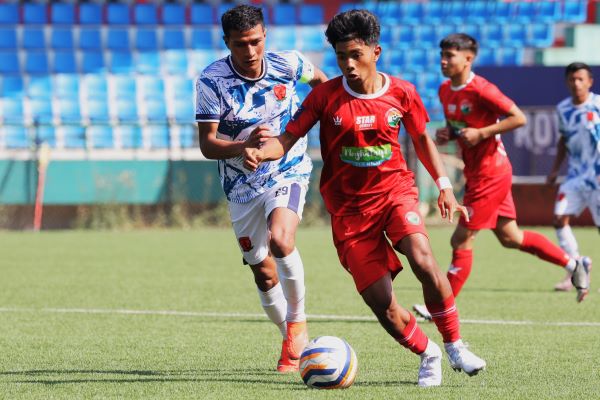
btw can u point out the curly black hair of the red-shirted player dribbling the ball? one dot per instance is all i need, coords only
(353, 25)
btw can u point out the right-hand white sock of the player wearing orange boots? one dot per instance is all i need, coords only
(291, 277)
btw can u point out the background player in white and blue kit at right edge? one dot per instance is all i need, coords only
(579, 126)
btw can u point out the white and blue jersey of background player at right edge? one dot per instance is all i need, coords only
(580, 127)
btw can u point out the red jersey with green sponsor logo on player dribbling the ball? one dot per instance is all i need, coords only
(362, 162)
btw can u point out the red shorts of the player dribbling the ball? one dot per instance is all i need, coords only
(362, 240)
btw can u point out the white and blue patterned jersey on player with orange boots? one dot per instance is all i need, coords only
(240, 104)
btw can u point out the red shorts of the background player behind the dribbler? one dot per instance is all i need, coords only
(487, 199)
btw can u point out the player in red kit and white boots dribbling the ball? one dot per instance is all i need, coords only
(371, 194)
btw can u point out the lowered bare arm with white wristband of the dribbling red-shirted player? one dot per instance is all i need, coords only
(430, 157)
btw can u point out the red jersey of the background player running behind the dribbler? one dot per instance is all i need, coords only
(476, 104)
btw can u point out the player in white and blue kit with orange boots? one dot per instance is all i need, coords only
(248, 89)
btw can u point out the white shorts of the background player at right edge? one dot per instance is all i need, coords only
(572, 202)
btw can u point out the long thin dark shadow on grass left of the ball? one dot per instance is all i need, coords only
(69, 376)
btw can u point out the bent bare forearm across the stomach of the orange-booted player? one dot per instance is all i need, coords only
(214, 148)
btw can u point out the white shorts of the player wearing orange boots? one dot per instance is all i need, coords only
(250, 220)
